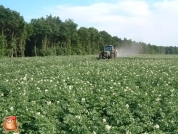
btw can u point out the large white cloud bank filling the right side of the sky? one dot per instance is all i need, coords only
(154, 23)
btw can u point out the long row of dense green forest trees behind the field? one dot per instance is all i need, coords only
(51, 36)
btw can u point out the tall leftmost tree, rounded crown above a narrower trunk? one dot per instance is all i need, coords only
(12, 27)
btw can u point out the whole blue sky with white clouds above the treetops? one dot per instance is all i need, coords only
(148, 21)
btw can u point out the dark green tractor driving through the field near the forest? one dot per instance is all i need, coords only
(108, 52)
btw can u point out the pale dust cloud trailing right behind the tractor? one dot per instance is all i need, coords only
(130, 50)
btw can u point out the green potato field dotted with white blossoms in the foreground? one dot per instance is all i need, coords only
(84, 95)
